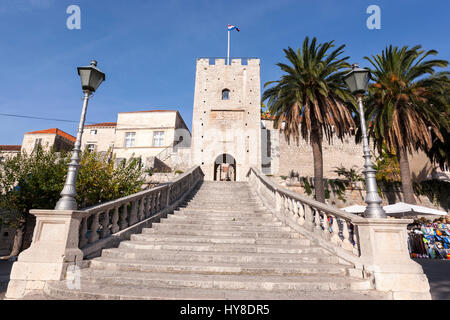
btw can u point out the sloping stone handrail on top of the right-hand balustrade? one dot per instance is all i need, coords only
(311, 202)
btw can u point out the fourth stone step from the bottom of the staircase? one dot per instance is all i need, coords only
(213, 257)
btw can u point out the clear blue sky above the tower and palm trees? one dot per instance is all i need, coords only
(148, 48)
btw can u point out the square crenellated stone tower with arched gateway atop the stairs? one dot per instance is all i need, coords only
(226, 124)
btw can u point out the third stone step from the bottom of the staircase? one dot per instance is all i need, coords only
(103, 263)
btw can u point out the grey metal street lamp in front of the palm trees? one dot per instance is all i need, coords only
(357, 81)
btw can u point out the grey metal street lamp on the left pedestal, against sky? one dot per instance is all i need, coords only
(91, 78)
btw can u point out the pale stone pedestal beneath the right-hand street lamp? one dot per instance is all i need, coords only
(384, 254)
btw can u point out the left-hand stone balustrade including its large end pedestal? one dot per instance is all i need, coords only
(65, 237)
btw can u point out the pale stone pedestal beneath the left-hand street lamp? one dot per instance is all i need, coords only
(54, 248)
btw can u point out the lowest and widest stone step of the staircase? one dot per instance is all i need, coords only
(58, 289)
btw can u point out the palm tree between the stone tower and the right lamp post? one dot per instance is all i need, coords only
(312, 99)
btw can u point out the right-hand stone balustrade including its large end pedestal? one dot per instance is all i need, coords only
(376, 247)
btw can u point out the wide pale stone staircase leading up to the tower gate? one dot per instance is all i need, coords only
(221, 244)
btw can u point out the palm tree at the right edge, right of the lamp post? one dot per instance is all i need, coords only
(406, 104)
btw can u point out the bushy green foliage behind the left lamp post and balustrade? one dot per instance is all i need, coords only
(35, 181)
